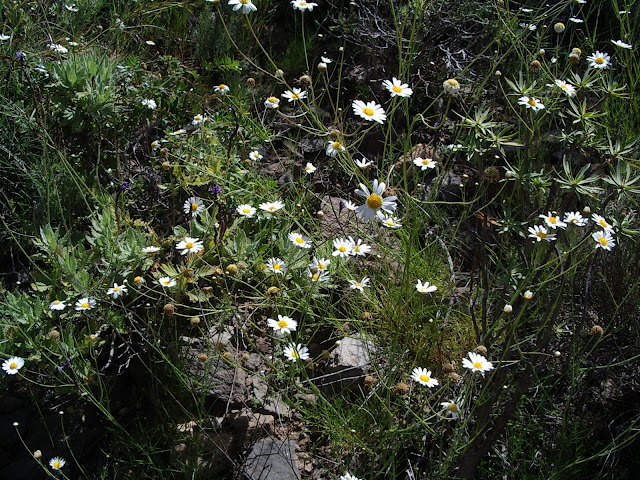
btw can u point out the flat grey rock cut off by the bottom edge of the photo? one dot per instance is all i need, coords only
(272, 460)
